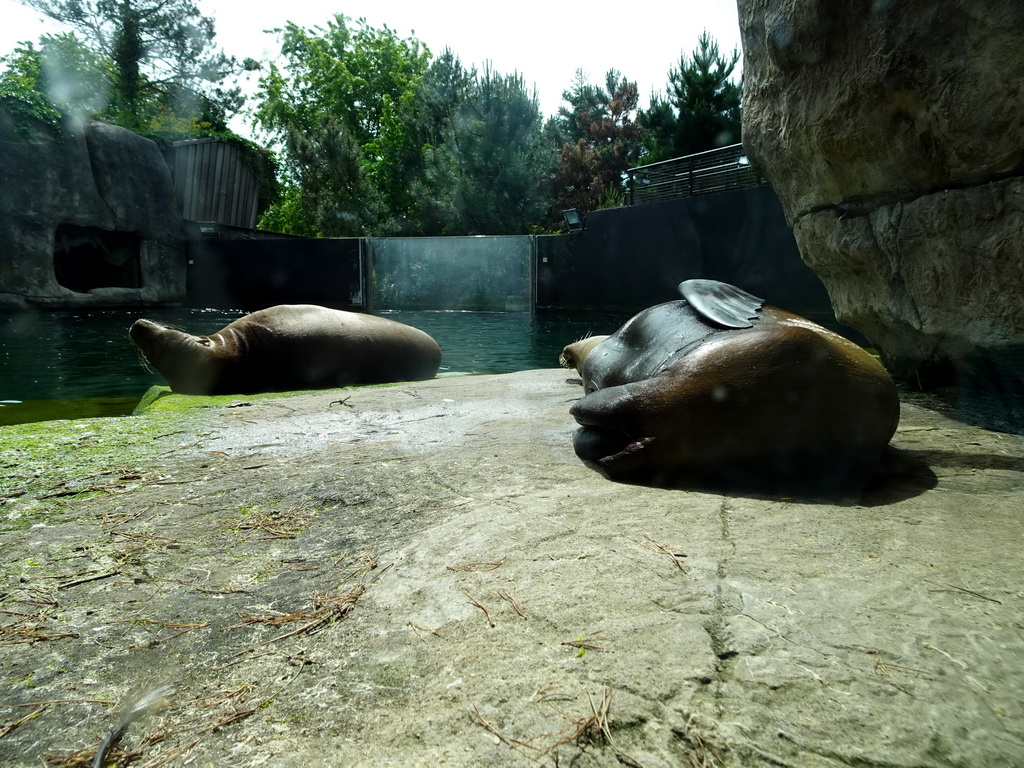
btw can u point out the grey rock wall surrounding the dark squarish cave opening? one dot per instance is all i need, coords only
(104, 179)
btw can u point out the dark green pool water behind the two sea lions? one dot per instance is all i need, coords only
(74, 365)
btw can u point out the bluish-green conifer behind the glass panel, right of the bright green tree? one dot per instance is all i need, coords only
(486, 176)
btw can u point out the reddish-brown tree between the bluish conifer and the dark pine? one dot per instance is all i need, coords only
(603, 141)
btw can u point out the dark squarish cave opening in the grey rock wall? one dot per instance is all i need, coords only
(88, 258)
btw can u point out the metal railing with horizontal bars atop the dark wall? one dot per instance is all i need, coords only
(704, 174)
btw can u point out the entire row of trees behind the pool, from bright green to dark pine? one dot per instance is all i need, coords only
(377, 139)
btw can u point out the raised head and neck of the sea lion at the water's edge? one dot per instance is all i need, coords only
(190, 364)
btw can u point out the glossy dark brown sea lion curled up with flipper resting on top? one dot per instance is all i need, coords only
(719, 390)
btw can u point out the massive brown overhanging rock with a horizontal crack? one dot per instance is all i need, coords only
(893, 134)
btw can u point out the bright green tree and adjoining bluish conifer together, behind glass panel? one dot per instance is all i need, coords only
(379, 140)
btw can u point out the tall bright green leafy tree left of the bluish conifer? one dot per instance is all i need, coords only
(339, 111)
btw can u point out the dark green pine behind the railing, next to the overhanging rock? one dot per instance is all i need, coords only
(703, 109)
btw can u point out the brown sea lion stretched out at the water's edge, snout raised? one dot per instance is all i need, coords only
(289, 347)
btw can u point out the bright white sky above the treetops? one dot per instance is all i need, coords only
(546, 42)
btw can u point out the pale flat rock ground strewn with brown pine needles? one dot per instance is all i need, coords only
(425, 575)
